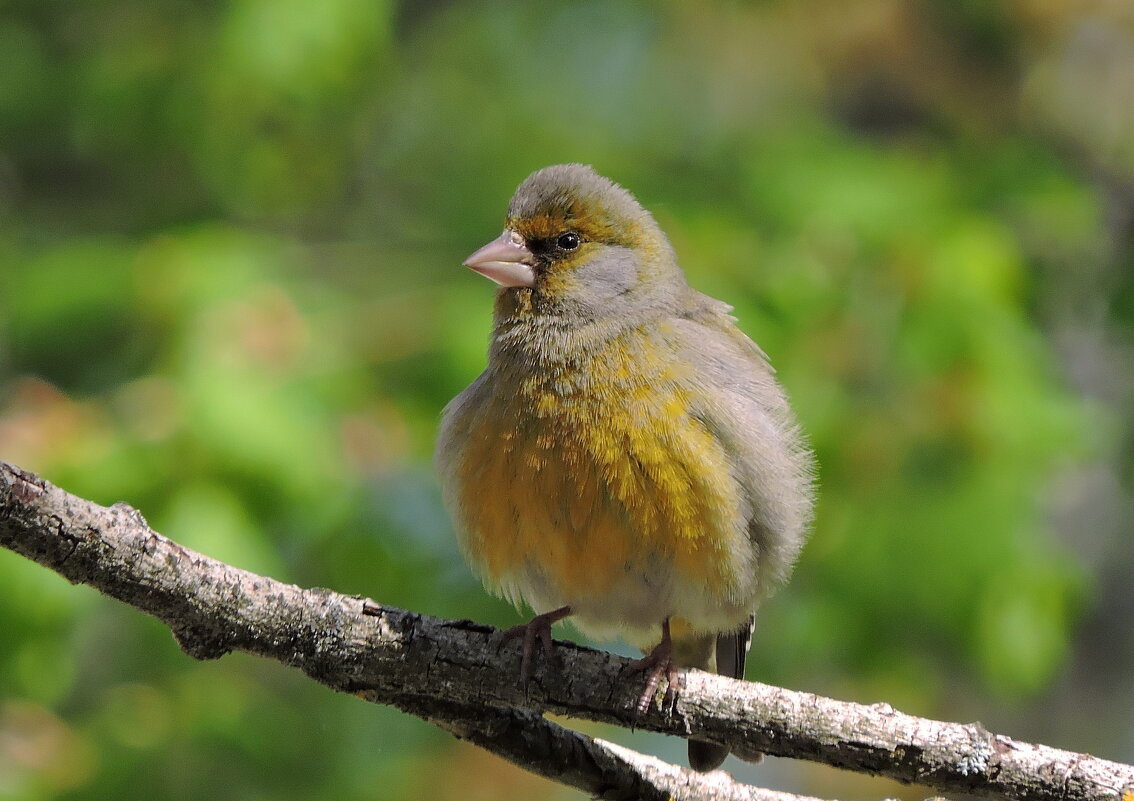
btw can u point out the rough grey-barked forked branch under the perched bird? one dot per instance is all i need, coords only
(451, 673)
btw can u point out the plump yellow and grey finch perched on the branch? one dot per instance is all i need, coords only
(628, 458)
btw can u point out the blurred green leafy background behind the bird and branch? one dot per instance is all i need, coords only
(232, 296)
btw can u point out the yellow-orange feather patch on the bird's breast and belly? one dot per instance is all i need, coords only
(589, 485)
